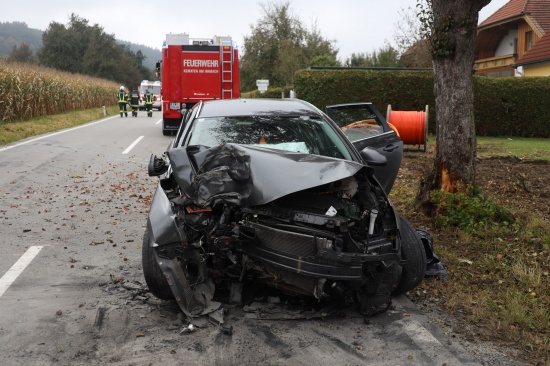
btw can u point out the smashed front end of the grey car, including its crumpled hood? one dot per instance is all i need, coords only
(235, 216)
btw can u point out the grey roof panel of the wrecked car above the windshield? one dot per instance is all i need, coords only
(258, 106)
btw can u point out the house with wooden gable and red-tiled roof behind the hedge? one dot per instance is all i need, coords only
(515, 40)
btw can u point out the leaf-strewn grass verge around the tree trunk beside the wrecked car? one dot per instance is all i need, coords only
(499, 269)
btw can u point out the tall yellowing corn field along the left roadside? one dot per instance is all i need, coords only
(28, 91)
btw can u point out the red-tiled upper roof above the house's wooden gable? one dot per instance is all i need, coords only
(537, 10)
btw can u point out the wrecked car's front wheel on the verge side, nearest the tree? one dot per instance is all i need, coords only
(413, 252)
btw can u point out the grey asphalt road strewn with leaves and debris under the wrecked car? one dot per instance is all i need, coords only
(72, 214)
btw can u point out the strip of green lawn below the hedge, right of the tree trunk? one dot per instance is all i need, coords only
(522, 147)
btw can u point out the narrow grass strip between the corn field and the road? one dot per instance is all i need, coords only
(19, 130)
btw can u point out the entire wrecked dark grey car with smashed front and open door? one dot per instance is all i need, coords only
(271, 194)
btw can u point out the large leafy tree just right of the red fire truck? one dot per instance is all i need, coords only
(279, 46)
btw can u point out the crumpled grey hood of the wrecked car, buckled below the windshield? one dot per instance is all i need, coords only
(248, 176)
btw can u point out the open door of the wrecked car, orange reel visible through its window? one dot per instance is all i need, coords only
(365, 127)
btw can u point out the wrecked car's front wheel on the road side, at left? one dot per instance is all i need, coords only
(153, 275)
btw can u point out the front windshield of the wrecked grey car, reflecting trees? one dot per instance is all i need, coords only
(302, 134)
